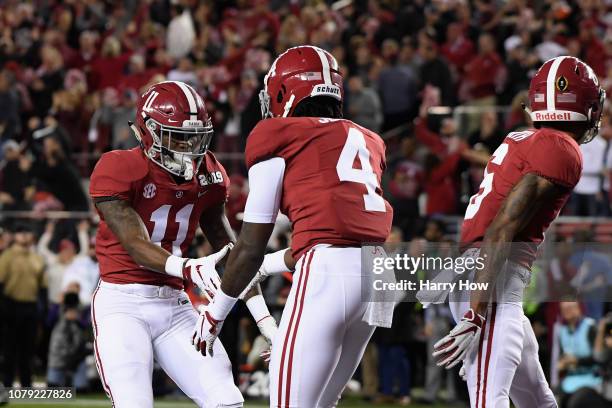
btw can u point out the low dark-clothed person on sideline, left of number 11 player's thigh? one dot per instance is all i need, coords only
(68, 348)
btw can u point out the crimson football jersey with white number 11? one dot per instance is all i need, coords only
(170, 211)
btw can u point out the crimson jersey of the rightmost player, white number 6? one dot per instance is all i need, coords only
(546, 152)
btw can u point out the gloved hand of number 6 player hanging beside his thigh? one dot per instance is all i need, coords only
(452, 349)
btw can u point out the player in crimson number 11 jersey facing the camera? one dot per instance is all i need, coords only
(151, 200)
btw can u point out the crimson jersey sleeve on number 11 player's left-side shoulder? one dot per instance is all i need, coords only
(113, 175)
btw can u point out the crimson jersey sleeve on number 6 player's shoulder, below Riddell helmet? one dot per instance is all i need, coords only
(556, 159)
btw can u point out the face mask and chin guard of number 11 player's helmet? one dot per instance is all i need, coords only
(179, 150)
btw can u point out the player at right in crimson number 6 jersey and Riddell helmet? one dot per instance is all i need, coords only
(526, 184)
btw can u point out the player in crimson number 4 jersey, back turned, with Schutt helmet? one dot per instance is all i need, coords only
(324, 173)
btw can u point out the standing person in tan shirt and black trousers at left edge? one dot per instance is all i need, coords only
(23, 284)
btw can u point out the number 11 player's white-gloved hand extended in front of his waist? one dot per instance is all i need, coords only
(202, 272)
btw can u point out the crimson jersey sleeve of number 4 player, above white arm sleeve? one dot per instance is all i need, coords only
(270, 138)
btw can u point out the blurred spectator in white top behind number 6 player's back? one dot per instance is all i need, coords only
(587, 198)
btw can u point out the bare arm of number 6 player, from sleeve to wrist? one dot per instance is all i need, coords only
(526, 198)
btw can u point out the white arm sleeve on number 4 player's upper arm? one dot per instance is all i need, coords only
(266, 186)
